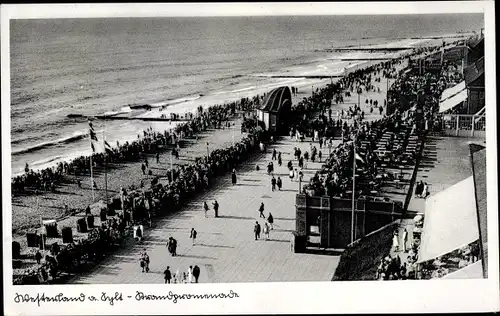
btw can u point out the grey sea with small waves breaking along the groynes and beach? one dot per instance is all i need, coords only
(91, 66)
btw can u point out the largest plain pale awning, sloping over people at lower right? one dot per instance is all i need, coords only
(450, 221)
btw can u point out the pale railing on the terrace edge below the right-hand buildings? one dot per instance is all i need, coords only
(463, 125)
